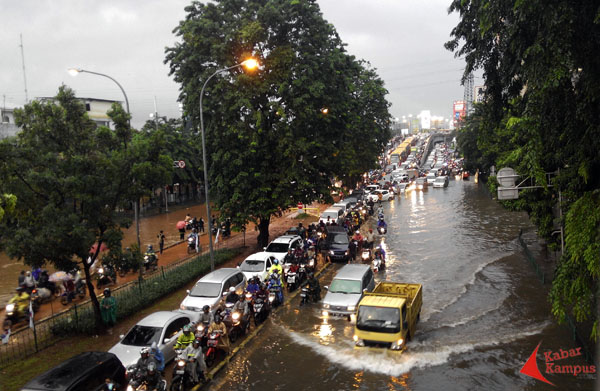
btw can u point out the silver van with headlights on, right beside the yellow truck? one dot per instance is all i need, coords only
(346, 290)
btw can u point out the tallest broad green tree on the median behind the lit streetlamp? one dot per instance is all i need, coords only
(279, 136)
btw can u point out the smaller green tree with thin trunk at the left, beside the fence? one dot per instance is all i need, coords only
(69, 178)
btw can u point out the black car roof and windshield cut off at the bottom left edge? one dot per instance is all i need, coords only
(84, 372)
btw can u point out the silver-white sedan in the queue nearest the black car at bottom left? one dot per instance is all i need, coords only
(162, 328)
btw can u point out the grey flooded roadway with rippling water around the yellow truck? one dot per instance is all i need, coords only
(484, 311)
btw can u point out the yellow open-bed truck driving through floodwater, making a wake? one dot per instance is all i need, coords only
(387, 317)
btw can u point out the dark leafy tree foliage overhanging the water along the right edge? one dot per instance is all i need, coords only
(540, 114)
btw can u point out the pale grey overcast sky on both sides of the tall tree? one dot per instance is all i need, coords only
(125, 39)
